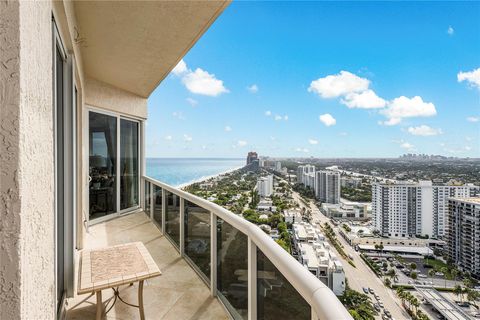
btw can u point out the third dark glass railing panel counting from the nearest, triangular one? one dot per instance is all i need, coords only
(197, 236)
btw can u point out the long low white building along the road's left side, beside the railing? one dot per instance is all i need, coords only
(315, 254)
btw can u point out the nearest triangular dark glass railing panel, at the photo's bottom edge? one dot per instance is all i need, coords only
(276, 297)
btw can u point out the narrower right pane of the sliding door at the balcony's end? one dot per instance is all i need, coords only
(128, 164)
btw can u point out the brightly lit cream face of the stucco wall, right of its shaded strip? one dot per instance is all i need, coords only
(36, 172)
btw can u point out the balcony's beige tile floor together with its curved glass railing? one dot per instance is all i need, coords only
(231, 271)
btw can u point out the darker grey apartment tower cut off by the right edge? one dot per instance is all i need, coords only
(463, 237)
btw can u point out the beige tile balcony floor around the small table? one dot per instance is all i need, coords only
(178, 293)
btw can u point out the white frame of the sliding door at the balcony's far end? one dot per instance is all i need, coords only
(118, 117)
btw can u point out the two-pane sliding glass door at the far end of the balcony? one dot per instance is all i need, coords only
(113, 165)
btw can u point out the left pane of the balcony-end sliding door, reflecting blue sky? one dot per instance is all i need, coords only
(102, 165)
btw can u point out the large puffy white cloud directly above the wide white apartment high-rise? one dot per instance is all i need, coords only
(403, 107)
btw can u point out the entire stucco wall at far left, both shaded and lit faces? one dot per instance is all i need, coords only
(27, 280)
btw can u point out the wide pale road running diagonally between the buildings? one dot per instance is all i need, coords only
(361, 276)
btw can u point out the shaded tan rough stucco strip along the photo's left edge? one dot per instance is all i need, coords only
(9, 184)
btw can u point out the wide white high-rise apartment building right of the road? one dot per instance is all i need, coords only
(409, 209)
